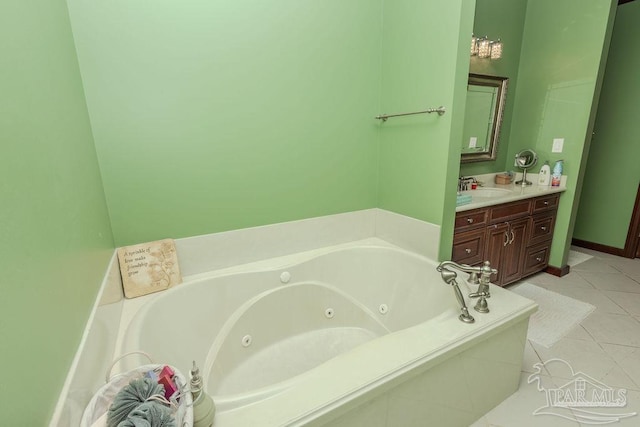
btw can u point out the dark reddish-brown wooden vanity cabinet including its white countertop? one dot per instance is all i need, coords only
(510, 226)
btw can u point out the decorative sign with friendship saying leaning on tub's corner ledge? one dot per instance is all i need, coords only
(149, 267)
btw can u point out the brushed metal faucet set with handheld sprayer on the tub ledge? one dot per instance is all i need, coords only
(482, 293)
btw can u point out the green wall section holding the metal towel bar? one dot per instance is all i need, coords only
(418, 167)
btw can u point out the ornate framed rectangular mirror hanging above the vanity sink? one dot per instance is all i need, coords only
(483, 117)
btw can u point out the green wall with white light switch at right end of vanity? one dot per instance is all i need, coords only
(560, 71)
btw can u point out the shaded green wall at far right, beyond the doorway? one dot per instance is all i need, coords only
(612, 173)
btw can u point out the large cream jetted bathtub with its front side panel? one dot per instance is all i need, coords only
(364, 332)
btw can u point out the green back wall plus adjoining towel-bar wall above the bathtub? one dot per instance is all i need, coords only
(229, 114)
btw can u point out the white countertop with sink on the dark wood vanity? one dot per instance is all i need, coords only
(510, 193)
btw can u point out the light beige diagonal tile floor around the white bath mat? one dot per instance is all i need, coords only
(605, 346)
